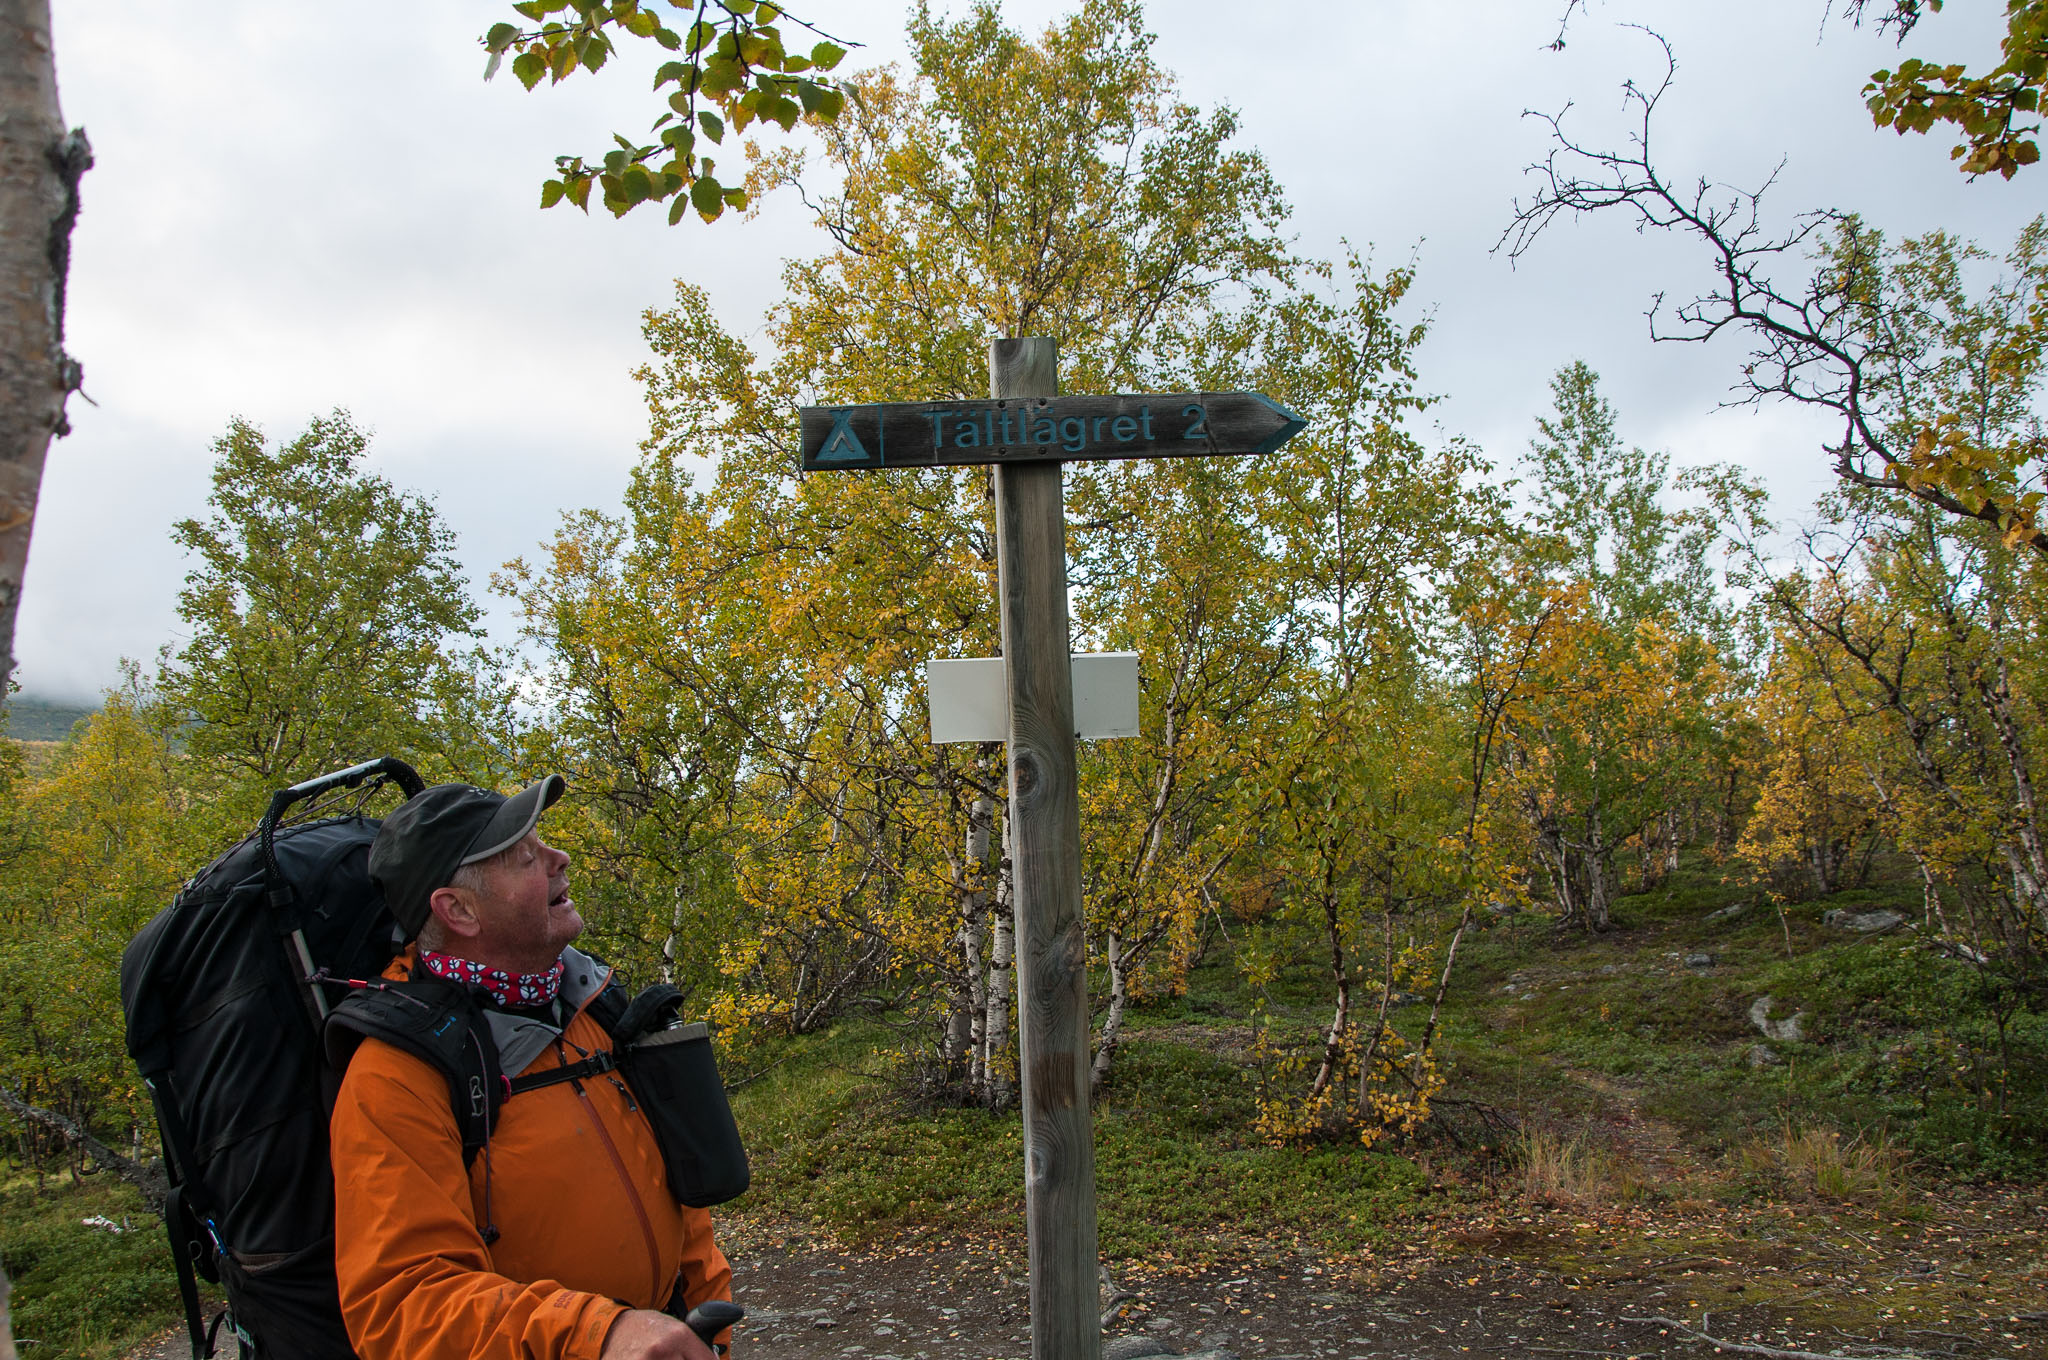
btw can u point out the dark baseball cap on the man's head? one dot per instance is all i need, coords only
(447, 826)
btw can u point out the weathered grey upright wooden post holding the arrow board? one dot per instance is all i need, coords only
(1046, 820)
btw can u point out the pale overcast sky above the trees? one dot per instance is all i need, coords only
(304, 208)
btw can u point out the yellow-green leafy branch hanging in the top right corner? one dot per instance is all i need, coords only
(1988, 108)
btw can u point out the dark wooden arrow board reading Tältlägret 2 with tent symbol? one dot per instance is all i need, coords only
(1043, 429)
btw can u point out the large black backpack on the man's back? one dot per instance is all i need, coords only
(224, 1019)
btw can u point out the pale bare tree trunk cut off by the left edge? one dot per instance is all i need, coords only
(40, 167)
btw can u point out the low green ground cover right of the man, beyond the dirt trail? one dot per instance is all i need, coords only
(1621, 1048)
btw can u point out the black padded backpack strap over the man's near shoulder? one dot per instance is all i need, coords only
(437, 1023)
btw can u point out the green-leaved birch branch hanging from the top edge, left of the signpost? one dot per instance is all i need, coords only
(732, 71)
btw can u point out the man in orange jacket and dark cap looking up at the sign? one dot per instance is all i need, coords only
(560, 1240)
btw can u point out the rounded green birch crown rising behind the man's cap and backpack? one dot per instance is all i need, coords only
(325, 611)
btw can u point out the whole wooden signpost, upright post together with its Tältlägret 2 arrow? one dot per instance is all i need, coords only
(1027, 429)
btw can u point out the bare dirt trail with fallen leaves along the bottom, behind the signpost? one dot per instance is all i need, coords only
(1510, 1287)
